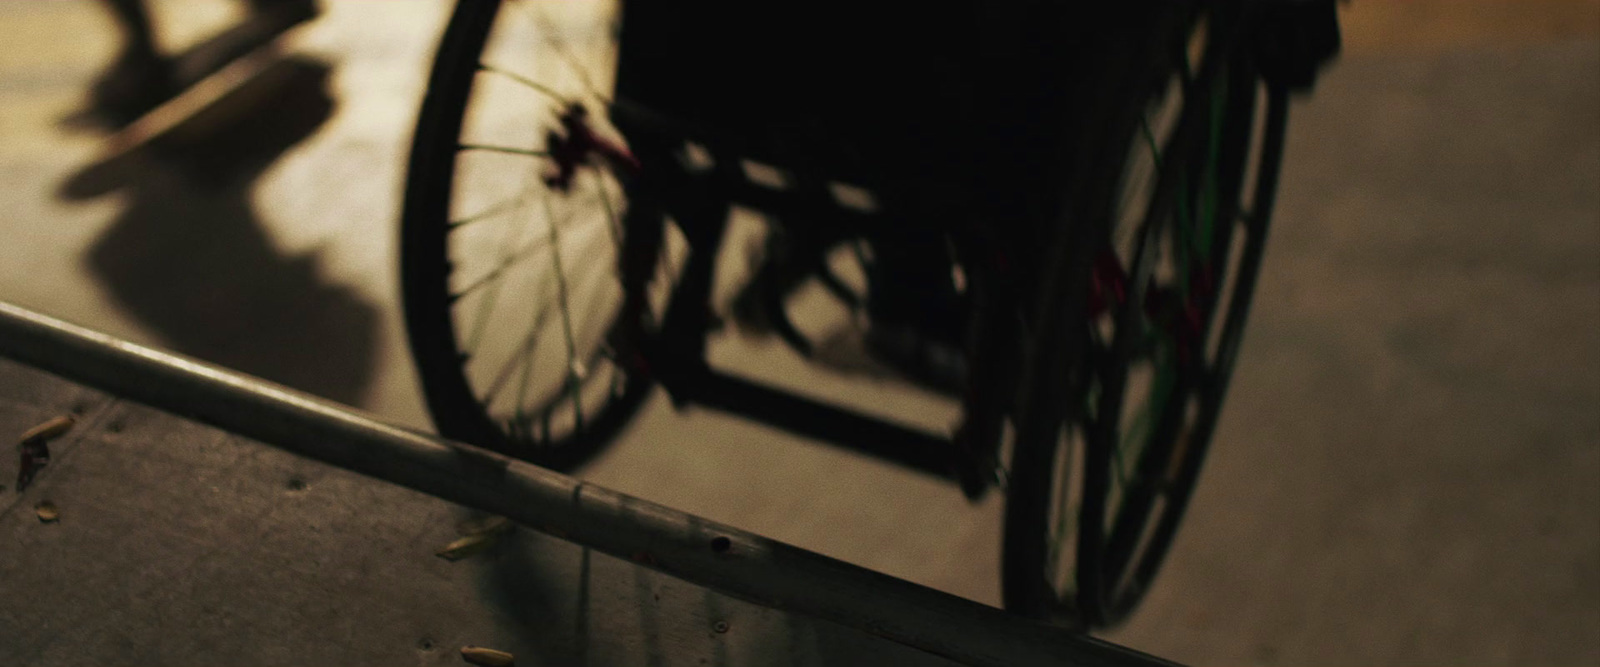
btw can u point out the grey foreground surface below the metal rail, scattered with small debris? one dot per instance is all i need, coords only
(183, 545)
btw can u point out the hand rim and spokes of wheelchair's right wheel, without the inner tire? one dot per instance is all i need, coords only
(1159, 351)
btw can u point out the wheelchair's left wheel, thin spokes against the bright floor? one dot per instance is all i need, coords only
(526, 286)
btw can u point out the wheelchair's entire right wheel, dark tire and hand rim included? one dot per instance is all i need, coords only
(1086, 481)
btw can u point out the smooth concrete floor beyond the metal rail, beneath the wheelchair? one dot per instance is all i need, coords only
(1407, 468)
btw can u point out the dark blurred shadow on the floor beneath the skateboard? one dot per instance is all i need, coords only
(191, 258)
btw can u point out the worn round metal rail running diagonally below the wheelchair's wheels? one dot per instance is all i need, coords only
(695, 549)
